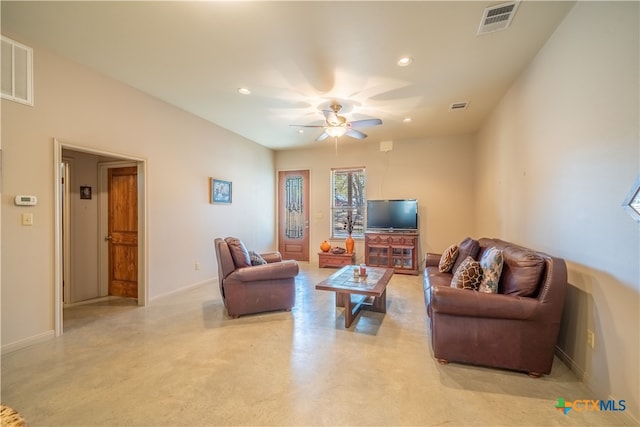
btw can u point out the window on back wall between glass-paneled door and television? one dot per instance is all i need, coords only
(348, 198)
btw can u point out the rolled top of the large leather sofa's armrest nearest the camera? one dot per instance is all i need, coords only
(463, 302)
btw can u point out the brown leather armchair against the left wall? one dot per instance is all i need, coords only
(247, 288)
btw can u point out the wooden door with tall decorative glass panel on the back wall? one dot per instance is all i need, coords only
(293, 214)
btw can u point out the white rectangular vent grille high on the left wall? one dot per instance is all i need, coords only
(17, 72)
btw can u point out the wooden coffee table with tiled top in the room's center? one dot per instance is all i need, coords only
(371, 290)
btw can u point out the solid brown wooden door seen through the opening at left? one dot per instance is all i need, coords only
(123, 232)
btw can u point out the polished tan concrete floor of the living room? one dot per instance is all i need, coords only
(182, 362)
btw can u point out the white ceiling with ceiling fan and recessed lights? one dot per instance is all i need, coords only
(296, 57)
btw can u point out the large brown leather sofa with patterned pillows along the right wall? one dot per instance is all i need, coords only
(515, 328)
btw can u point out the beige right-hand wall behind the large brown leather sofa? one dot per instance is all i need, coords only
(558, 158)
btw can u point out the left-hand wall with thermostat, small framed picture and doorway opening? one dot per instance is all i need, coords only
(78, 106)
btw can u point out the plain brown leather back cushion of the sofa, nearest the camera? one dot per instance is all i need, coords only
(521, 272)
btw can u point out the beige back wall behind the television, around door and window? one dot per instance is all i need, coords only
(438, 172)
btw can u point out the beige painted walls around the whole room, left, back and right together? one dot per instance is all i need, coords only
(550, 171)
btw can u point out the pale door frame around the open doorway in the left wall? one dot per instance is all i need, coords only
(142, 225)
